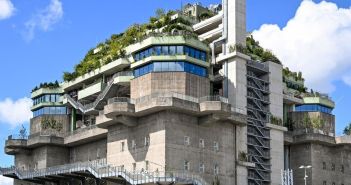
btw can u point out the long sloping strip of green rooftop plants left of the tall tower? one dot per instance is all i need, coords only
(113, 48)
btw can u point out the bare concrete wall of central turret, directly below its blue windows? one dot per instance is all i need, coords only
(180, 82)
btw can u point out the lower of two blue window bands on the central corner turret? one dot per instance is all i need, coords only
(170, 67)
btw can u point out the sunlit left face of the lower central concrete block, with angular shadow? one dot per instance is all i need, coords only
(151, 126)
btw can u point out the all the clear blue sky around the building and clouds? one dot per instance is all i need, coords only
(35, 50)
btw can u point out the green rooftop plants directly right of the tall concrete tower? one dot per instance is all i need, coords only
(255, 51)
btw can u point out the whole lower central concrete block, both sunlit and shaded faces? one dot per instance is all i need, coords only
(167, 151)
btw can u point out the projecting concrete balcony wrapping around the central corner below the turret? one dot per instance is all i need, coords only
(126, 111)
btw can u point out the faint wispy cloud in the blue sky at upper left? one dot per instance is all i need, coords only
(44, 19)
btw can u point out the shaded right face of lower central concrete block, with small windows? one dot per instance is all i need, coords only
(179, 125)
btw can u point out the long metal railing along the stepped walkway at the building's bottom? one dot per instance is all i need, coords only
(100, 169)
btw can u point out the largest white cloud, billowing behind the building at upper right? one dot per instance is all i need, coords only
(316, 41)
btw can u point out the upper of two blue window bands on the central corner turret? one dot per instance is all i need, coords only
(170, 50)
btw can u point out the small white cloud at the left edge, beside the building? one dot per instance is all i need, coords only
(15, 112)
